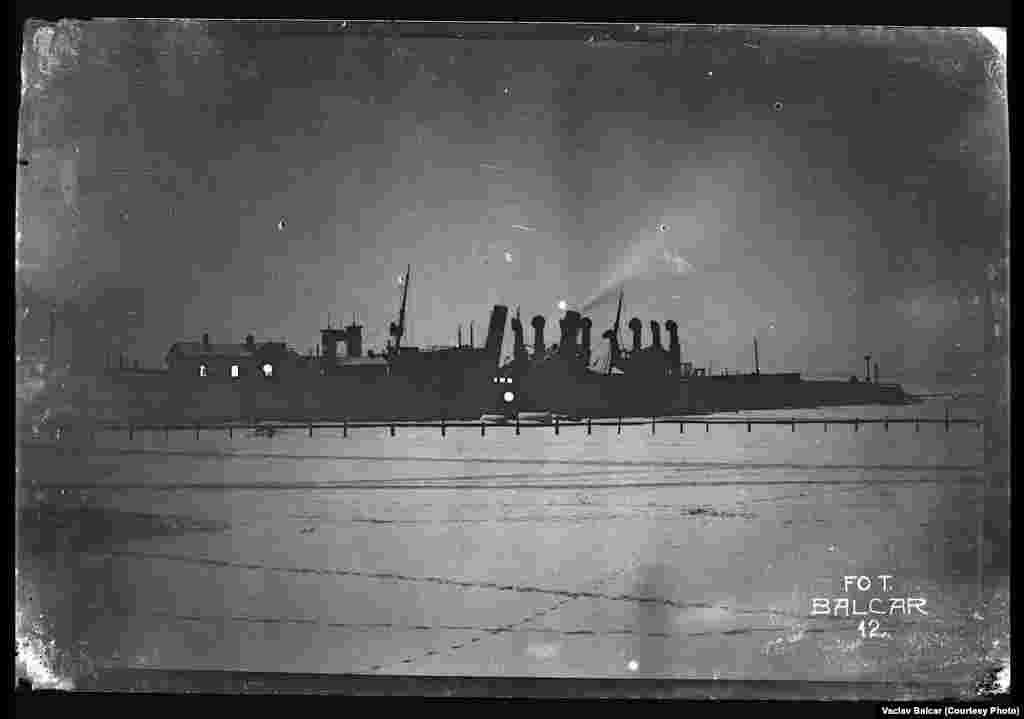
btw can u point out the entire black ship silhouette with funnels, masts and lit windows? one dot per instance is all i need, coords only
(270, 382)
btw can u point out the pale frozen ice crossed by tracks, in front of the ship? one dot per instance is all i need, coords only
(685, 556)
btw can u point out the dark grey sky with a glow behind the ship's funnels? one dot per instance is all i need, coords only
(836, 193)
